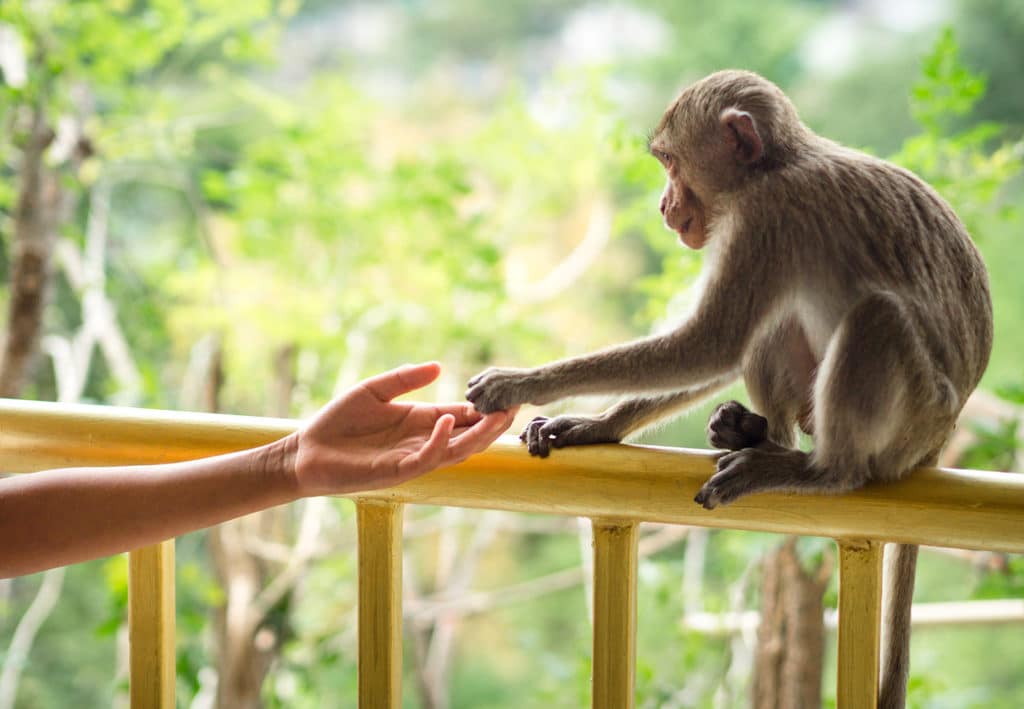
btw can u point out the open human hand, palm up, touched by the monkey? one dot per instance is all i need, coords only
(364, 441)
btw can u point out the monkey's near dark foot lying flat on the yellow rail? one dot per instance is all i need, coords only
(756, 471)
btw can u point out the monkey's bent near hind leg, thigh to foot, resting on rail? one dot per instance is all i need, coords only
(879, 401)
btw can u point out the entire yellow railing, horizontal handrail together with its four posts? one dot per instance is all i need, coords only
(615, 486)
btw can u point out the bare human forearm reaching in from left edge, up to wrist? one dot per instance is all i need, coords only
(68, 516)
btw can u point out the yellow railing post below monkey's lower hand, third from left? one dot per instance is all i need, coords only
(615, 614)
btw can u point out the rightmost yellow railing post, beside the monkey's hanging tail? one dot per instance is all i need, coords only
(860, 624)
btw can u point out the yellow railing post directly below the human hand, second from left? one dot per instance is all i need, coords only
(380, 604)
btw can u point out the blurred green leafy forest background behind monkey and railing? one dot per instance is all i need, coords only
(246, 205)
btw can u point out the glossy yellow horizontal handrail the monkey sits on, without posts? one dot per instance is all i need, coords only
(940, 508)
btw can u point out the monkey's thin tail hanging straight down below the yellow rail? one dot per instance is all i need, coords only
(898, 598)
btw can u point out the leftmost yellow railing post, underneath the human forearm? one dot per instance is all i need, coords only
(151, 627)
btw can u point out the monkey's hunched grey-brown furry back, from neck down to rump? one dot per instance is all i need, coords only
(865, 226)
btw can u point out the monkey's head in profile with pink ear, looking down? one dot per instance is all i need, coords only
(716, 136)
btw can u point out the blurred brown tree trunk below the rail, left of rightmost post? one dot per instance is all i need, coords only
(791, 639)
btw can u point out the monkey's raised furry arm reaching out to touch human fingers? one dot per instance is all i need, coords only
(706, 348)
